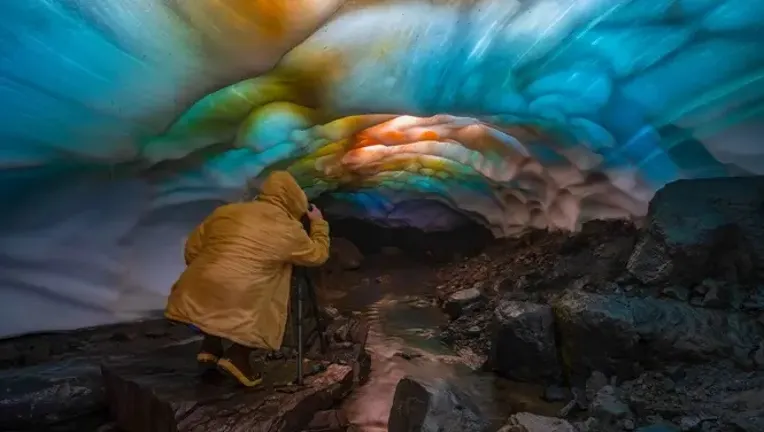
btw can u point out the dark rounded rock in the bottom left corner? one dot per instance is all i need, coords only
(38, 396)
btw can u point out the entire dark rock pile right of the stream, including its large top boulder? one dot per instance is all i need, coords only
(653, 329)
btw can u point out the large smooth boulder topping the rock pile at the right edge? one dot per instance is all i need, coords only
(702, 228)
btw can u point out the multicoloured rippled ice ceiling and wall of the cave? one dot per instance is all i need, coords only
(124, 122)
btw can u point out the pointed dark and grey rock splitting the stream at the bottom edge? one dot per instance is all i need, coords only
(437, 406)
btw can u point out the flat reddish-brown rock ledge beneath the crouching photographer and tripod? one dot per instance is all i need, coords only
(163, 390)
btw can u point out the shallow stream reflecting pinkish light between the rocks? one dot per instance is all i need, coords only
(403, 340)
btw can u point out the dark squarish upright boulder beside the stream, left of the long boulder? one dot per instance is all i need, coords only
(524, 345)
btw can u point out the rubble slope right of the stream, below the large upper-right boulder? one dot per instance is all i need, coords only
(564, 310)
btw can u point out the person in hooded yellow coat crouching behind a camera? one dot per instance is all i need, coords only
(236, 285)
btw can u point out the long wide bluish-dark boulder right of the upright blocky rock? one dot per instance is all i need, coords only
(613, 334)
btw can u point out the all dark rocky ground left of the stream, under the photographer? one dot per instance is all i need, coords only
(158, 386)
